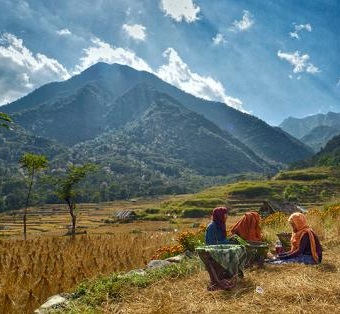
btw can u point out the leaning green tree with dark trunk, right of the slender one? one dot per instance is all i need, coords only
(66, 189)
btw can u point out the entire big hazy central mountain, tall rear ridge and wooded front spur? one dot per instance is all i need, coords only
(146, 135)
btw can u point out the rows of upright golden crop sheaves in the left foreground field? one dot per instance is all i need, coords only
(33, 270)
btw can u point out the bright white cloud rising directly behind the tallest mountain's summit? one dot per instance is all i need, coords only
(102, 51)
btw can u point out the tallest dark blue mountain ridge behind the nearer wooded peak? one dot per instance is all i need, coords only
(75, 110)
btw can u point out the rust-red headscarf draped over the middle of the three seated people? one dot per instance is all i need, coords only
(248, 227)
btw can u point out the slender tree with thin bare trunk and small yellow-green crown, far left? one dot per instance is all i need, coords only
(31, 164)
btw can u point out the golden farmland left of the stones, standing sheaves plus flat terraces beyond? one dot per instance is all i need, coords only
(50, 262)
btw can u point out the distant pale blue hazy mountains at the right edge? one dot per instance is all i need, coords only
(315, 130)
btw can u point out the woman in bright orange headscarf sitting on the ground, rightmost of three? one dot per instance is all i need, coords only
(305, 244)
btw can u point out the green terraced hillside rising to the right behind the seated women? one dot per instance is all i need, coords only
(308, 187)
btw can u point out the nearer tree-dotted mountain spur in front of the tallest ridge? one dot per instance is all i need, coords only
(162, 128)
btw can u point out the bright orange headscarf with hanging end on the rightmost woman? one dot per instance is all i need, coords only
(300, 228)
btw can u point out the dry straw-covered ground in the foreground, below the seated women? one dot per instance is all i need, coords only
(286, 289)
